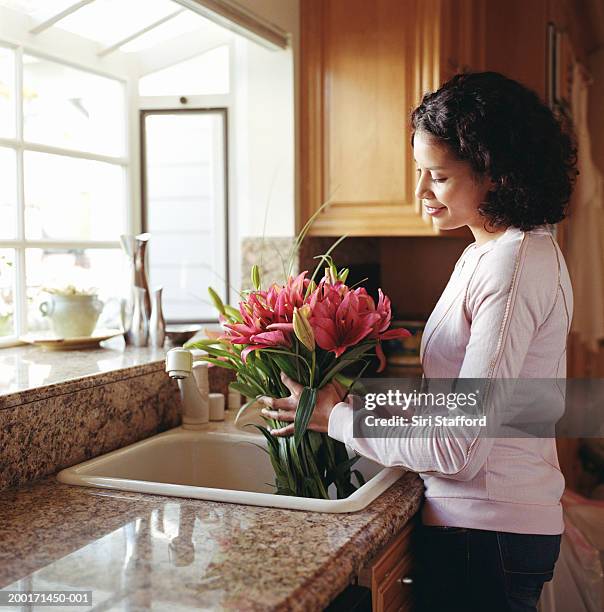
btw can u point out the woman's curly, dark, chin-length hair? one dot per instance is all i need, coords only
(505, 132)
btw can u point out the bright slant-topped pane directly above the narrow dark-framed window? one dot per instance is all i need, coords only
(205, 74)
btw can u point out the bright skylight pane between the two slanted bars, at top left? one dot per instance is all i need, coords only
(109, 21)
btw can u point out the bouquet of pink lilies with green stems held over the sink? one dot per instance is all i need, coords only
(310, 331)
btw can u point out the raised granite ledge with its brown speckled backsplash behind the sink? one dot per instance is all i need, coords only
(58, 408)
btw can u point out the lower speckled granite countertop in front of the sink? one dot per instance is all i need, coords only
(137, 552)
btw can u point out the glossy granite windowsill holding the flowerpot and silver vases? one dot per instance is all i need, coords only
(29, 373)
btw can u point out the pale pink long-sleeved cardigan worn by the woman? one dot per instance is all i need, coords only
(505, 313)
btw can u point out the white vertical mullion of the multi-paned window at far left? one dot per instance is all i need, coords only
(20, 276)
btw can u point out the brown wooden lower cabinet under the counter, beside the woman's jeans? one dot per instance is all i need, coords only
(390, 575)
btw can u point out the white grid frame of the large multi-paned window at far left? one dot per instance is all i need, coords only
(21, 243)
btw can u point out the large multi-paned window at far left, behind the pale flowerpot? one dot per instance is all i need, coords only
(63, 194)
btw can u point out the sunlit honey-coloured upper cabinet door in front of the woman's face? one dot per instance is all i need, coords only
(364, 67)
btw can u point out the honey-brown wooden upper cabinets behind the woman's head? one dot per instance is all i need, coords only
(364, 67)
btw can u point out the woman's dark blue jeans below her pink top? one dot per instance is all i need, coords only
(478, 570)
